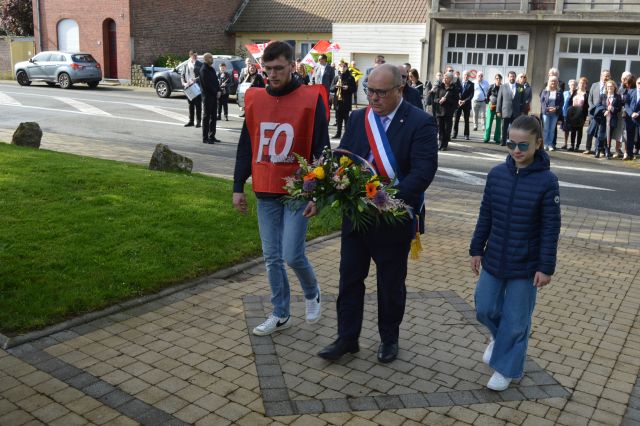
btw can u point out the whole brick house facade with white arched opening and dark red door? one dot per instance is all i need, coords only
(119, 33)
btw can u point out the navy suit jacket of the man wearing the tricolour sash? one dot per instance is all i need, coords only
(413, 138)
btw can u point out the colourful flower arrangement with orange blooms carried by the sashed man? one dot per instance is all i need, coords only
(351, 187)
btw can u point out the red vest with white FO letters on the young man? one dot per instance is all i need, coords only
(279, 126)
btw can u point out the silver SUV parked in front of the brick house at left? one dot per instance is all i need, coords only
(62, 68)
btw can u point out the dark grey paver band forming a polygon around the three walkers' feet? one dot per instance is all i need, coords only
(277, 401)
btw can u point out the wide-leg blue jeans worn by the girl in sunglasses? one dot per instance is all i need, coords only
(505, 307)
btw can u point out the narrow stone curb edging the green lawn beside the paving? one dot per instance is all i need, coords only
(7, 342)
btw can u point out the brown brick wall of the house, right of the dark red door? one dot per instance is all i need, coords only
(169, 27)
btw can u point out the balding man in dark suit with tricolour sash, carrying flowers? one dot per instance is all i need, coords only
(412, 137)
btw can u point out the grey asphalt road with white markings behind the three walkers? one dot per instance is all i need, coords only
(126, 123)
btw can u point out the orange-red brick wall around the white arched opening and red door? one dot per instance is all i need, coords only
(90, 15)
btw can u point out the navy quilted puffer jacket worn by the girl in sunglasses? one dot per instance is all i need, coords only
(519, 222)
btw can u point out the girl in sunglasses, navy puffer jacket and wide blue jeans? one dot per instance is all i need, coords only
(515, 242)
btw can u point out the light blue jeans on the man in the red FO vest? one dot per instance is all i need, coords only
(283, 231)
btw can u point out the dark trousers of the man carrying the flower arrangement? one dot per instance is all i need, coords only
(388, 246)
